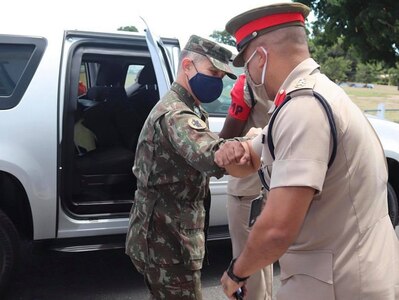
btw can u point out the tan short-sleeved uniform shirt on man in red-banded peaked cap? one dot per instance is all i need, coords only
(347, 248)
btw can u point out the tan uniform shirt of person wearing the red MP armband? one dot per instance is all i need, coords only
(258, 117)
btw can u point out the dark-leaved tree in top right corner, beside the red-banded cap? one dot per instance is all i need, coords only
(371, 27)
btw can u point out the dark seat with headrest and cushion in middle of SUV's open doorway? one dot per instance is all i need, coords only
(110, 164)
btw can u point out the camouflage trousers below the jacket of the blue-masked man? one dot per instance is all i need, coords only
(171, 282)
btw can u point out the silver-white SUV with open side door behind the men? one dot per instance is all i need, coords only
(72, 105)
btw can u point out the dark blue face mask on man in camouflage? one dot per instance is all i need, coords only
(206, 88)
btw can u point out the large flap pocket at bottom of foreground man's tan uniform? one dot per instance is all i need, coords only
(306, 275)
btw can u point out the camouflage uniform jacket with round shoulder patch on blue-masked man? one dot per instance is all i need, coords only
(174, 159)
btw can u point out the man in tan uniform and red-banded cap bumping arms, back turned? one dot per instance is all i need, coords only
(326, 218)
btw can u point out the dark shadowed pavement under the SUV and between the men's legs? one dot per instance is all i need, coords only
(105, 275)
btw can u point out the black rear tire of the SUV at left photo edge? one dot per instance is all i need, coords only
(9, 250)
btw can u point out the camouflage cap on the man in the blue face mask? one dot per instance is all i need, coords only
(218, 55)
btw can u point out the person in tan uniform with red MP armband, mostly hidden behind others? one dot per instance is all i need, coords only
(244, 194)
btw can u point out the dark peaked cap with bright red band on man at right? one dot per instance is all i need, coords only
(258, 21)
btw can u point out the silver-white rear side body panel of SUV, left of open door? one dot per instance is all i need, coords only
(24, 157)
